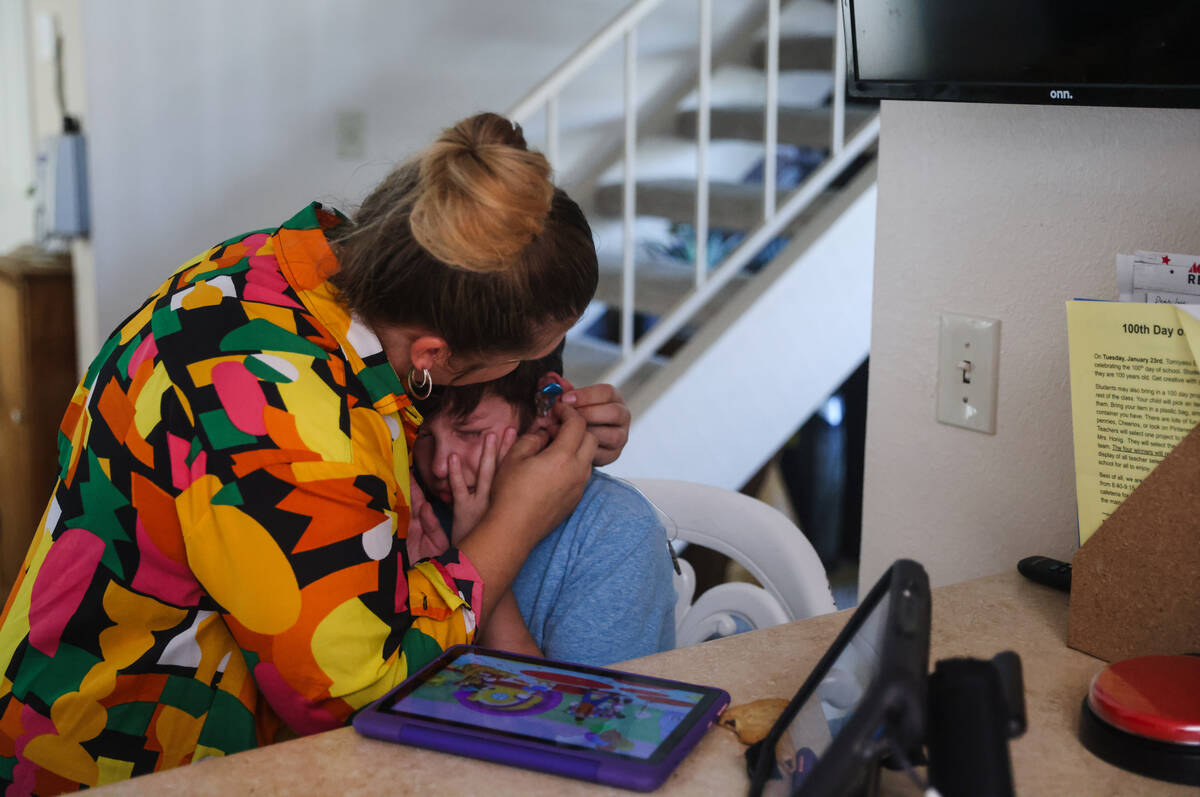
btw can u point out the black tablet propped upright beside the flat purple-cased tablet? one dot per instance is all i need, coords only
(866, 700)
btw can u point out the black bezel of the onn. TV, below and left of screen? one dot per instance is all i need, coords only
(1121, 95)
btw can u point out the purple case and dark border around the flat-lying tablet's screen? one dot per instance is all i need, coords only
(544, 757)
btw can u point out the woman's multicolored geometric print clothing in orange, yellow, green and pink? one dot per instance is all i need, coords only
(224, 553)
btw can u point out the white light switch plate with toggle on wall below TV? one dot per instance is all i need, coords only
(968, 368)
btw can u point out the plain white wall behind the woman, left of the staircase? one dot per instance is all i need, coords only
(217, 118)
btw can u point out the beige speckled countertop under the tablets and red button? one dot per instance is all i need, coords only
(977, 619)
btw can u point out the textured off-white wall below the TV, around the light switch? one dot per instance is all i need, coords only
(1004, 212)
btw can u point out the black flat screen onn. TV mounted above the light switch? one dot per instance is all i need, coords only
(1053, 52)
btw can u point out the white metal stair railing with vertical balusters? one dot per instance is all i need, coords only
(776, 219)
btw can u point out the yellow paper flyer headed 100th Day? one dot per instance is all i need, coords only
(1135, 395)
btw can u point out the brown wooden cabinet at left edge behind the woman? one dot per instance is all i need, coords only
(38, 375)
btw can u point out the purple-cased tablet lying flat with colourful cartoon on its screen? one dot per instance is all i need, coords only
(568, 720)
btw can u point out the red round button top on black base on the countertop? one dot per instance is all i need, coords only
(1156, 697)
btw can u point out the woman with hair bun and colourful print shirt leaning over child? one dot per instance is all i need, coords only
(223, 558)
